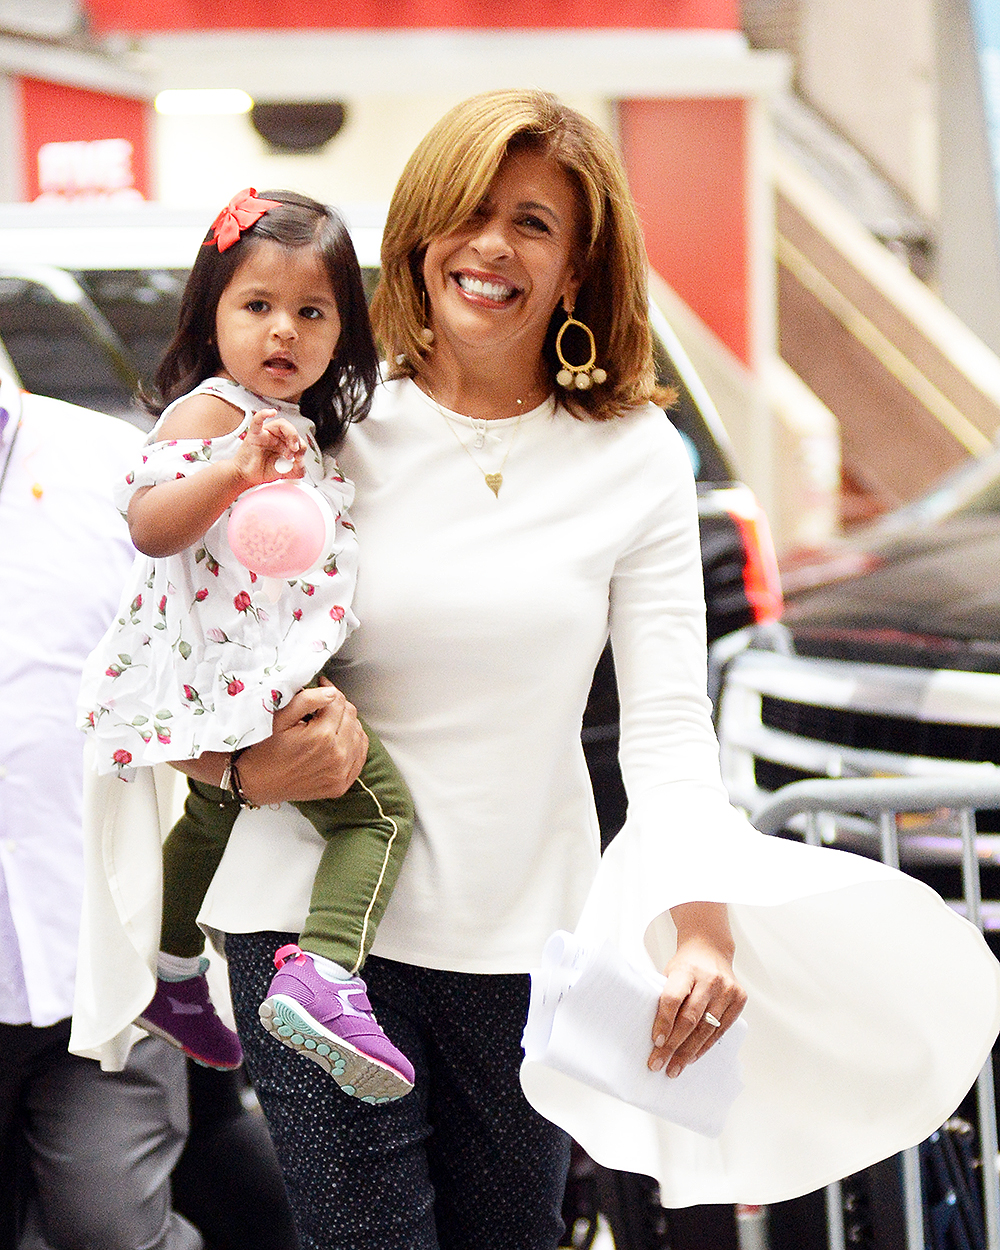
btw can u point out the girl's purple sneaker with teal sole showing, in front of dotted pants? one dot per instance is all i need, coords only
(332, 1023)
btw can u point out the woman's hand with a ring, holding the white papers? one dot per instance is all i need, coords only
(699, 979)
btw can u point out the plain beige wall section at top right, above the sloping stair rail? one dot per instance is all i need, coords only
(868, 66)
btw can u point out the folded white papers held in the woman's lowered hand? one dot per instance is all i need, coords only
(592, 1018)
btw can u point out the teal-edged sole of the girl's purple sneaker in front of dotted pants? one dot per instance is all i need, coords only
(357, 1074)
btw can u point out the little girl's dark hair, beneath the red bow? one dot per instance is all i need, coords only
(344, 393)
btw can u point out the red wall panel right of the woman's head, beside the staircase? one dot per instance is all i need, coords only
(687, 164)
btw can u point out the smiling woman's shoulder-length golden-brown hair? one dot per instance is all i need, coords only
(444, 183)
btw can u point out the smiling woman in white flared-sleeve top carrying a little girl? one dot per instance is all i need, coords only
(519, 497)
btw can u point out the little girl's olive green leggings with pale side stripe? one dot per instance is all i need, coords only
(367, 836)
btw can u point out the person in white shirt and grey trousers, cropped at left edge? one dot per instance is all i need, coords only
(101, 1147)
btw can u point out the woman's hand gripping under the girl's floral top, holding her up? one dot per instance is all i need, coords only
(317, 751)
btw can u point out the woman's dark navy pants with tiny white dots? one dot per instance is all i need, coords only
(463, 1163)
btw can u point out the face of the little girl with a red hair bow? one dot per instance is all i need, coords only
(277, 326)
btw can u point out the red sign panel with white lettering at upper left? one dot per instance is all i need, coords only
(97, 132)
